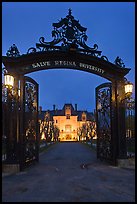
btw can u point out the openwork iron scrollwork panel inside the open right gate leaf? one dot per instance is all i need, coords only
(104, 123)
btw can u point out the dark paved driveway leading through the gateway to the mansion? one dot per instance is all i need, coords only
(60, 177)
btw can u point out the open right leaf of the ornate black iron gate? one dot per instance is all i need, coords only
(105, 142)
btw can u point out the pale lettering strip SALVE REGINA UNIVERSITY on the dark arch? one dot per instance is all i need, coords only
(69, 64)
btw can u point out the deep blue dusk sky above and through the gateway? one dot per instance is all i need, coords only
(110, 25)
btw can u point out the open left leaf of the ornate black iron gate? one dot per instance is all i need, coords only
(30, 120)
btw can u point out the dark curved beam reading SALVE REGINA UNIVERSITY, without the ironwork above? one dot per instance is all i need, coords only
(33, 62)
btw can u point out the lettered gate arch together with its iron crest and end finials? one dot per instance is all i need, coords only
(68, 49)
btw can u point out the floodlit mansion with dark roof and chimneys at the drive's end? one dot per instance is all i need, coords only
(72, 124)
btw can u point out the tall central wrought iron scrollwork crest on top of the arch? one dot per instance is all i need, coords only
(70, 35)
